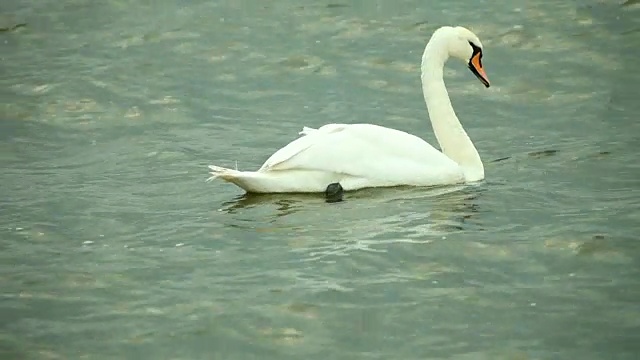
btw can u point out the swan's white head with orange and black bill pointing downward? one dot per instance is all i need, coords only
(465, 45)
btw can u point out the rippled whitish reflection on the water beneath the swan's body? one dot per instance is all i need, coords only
(368, 220)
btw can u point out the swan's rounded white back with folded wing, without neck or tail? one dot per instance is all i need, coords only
(366, 151)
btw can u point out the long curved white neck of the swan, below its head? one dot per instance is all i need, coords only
(454, 141)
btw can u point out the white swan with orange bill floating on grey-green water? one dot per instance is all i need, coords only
(363, 155)
